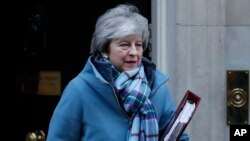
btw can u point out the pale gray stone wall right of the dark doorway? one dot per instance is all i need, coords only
(202, 39)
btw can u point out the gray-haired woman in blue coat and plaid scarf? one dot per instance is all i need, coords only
(119, 95)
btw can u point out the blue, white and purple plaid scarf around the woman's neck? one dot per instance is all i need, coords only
(133, 88)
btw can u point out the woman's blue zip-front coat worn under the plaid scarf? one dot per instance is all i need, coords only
(89, 109)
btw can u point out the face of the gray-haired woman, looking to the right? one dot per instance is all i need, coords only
(126, 53)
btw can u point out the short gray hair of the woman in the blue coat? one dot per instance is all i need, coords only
(118, 22)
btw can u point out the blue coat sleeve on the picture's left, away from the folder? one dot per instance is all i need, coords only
(65, 124)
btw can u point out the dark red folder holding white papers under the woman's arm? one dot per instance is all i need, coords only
(182, 117)
